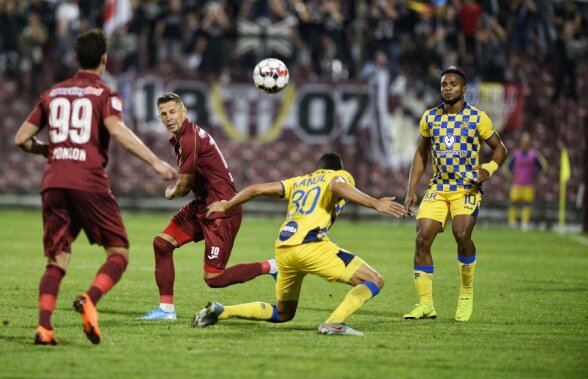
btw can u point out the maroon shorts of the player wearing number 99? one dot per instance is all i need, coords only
(67, 211)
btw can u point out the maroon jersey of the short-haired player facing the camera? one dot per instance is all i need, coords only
(197, 153)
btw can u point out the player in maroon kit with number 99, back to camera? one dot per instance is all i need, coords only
(80, 115)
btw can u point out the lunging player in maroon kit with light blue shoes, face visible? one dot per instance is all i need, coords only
(204, 171)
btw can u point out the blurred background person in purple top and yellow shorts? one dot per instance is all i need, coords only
(523, 166)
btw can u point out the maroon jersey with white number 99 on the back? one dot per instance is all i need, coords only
(74, 113)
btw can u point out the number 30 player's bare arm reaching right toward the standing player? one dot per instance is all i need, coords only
(385, 205)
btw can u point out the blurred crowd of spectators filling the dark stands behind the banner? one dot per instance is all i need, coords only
(541, 44)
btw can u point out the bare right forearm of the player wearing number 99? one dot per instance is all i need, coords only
(129, 140)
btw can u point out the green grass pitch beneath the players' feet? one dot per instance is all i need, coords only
(530, 315)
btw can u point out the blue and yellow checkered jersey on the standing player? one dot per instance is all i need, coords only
(456, 140)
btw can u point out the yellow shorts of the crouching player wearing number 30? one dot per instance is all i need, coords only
(324, 259)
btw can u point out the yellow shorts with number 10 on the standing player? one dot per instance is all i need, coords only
(438, 205)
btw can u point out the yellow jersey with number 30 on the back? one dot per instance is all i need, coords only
(312, 207)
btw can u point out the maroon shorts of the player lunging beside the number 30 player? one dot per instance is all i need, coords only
(218, 234)
